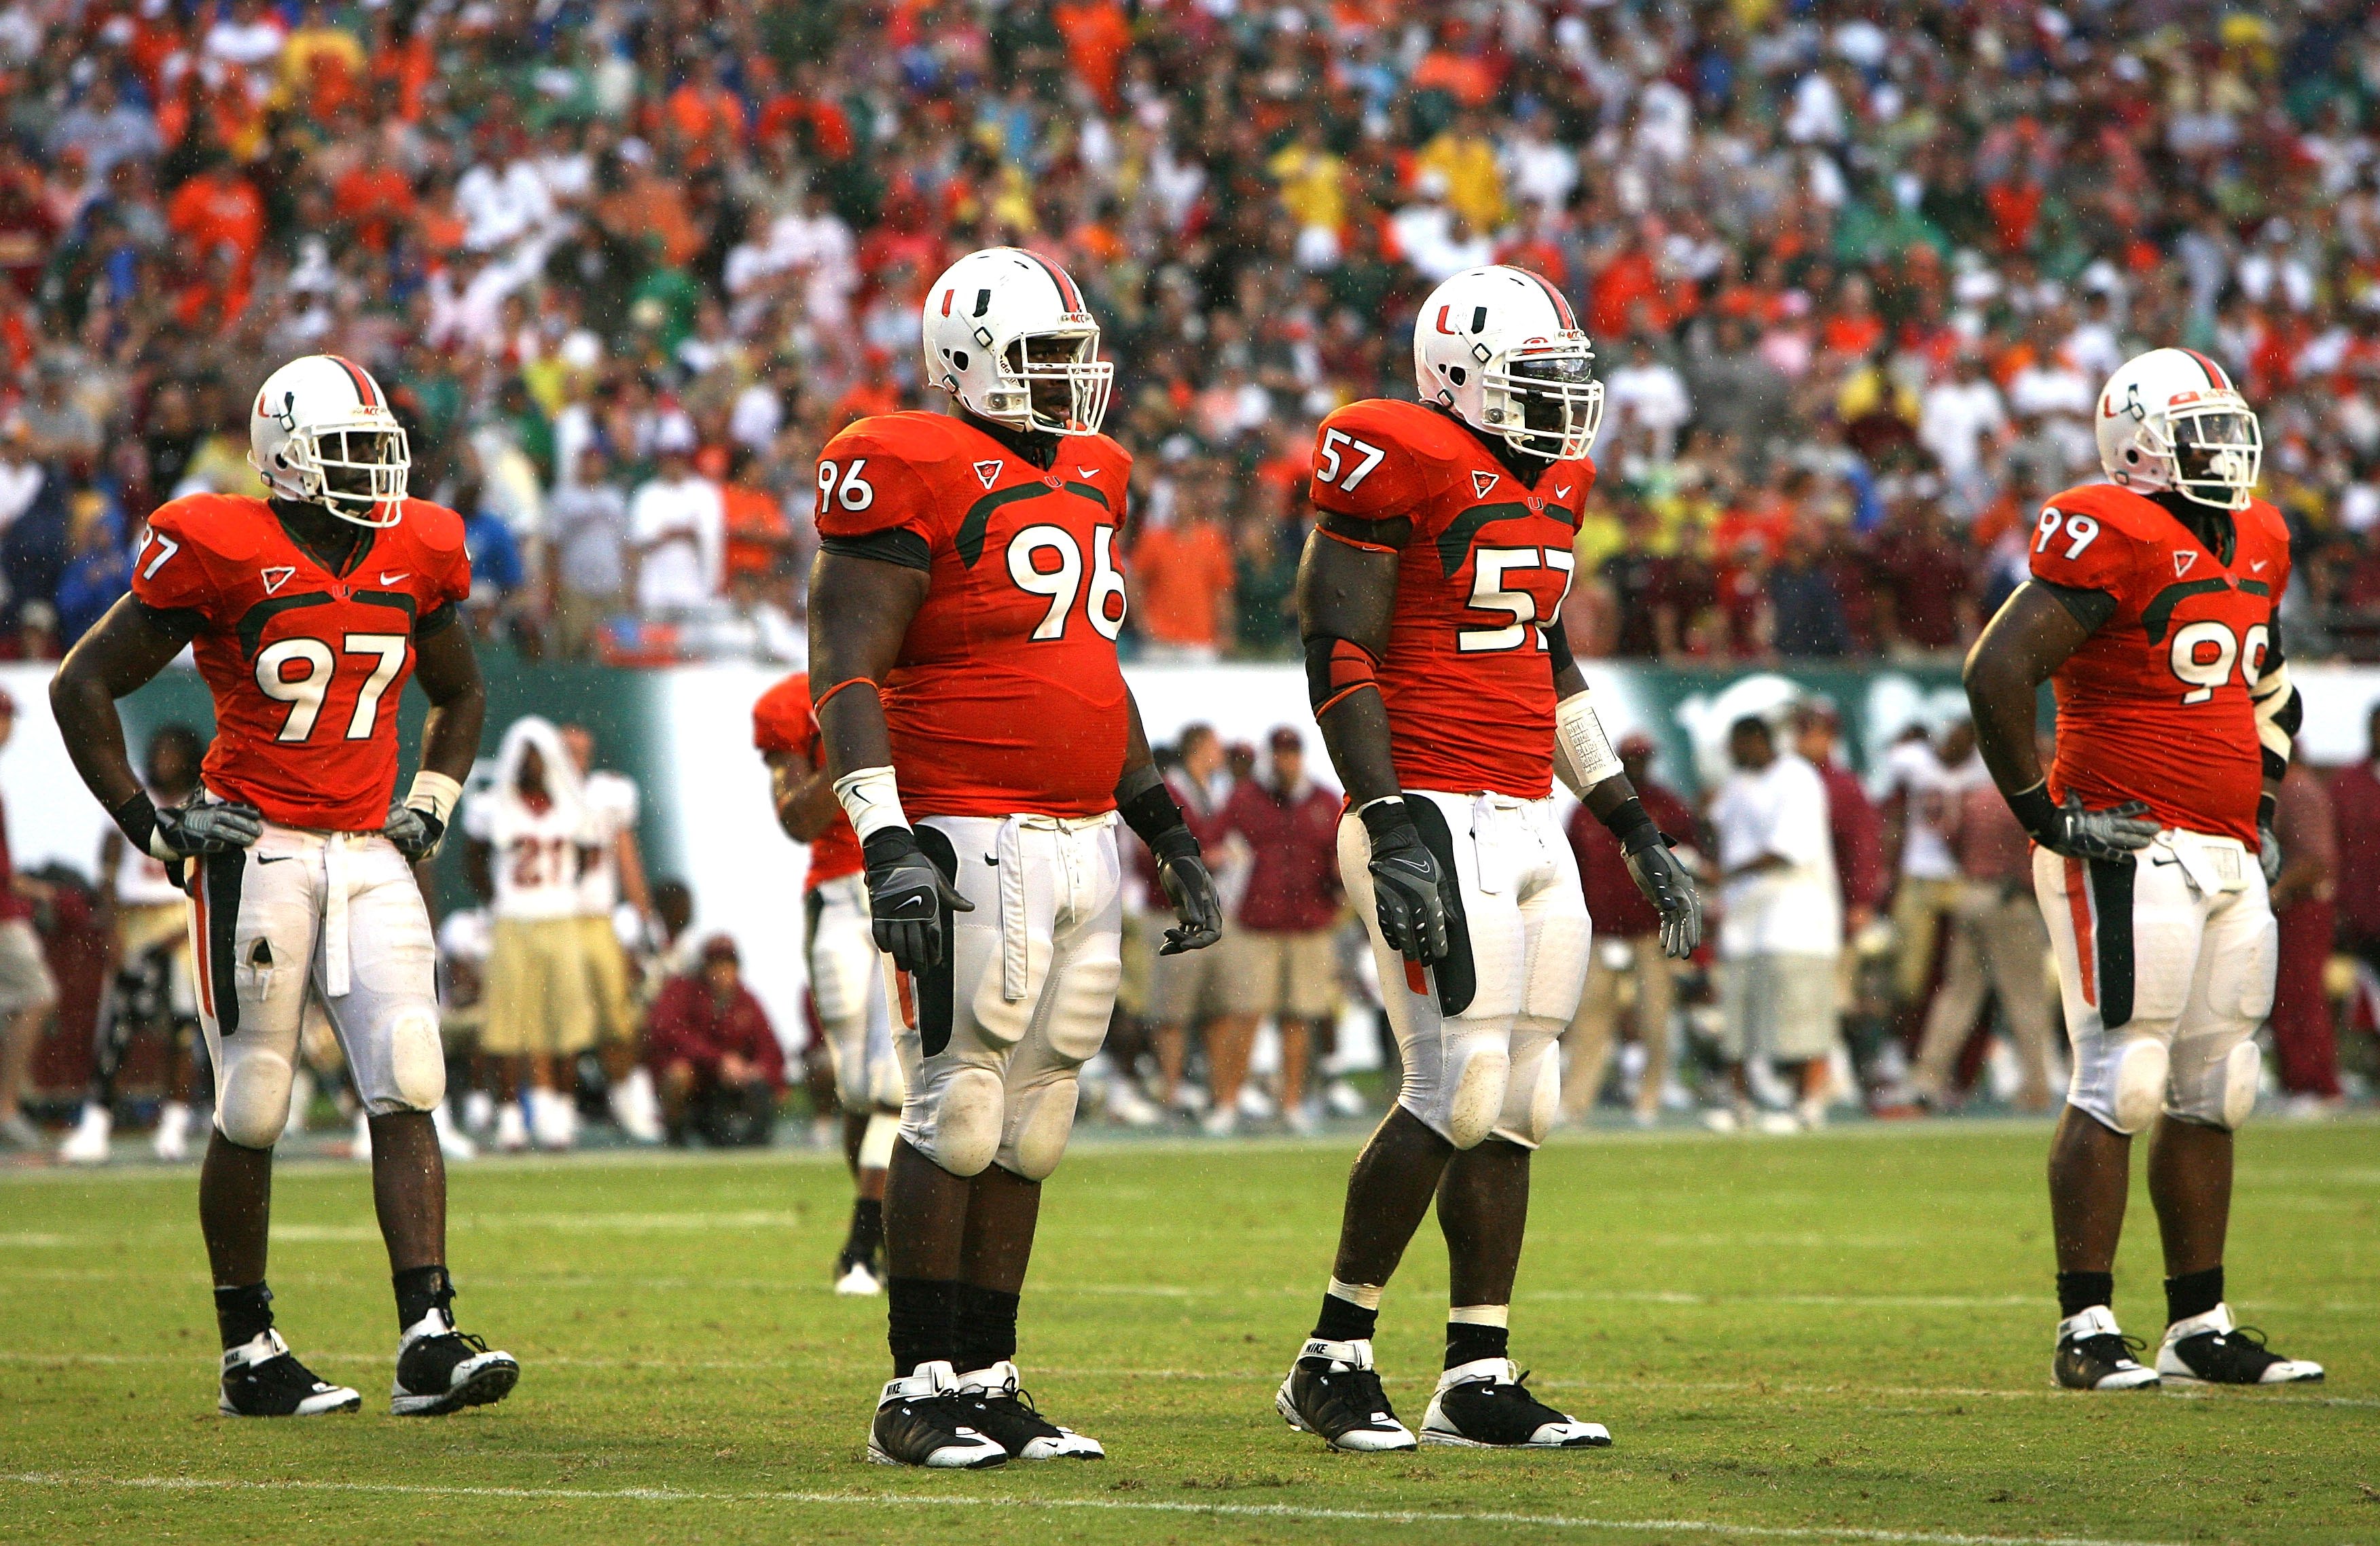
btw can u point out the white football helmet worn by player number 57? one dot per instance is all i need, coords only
(1503, 351)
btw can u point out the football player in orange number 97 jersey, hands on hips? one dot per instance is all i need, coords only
(308, 612)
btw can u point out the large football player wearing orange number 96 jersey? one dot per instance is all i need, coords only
(963, 658)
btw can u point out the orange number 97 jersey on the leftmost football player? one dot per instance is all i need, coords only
(306, 665)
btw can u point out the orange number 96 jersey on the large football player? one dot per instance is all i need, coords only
(1008, 696)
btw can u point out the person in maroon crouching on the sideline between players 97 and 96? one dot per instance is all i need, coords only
(713, 1052)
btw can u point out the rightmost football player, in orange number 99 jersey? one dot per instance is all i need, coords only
(2155, 610)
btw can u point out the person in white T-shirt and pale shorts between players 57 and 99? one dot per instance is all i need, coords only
(1781, 924)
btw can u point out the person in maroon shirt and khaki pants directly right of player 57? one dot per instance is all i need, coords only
(1620, 912)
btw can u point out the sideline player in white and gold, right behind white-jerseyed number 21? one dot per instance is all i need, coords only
(615, 874)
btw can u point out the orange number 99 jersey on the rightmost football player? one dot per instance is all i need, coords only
(2155, 705)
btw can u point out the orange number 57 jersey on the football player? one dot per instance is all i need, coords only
(1467, 679)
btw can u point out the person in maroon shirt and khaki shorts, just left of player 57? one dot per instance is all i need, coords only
(1282, 948)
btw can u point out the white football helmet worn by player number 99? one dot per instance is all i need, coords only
(2174, 420)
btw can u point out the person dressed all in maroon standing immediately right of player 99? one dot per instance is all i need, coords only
(2305, 1038)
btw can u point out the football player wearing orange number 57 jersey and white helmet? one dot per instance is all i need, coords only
(1443, 684)
